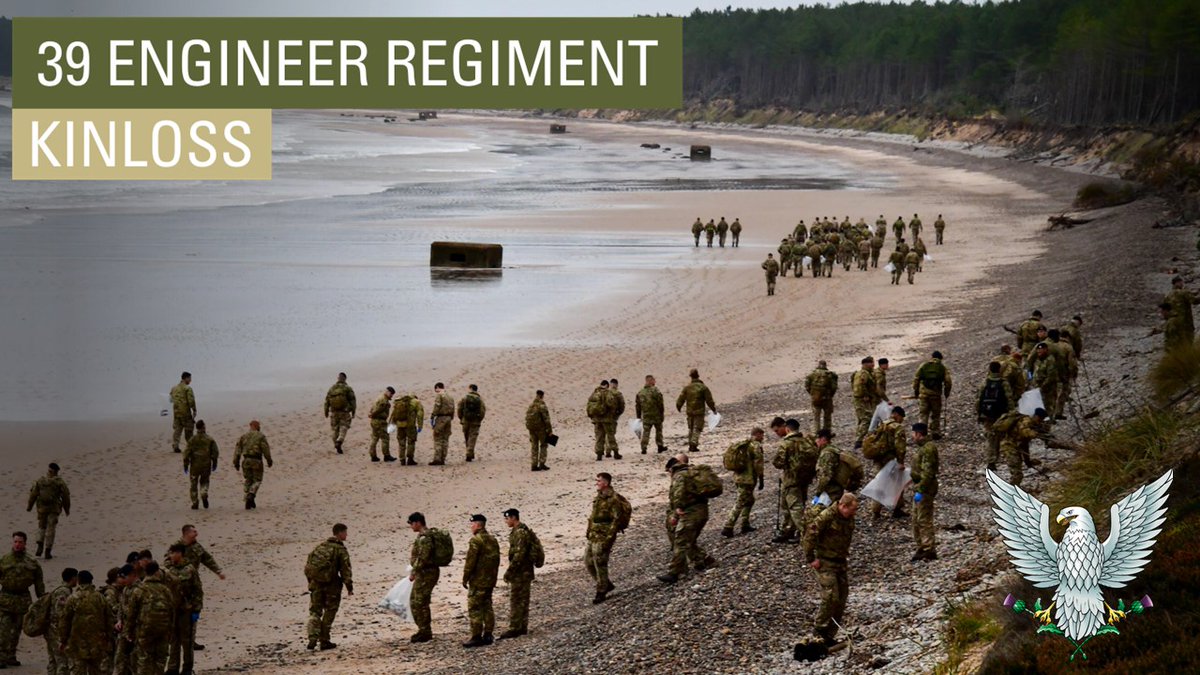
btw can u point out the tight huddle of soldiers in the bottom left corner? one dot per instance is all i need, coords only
(142, 622)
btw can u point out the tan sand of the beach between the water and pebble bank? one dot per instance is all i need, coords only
(681, 309)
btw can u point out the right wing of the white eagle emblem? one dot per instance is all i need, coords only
(1137, 522)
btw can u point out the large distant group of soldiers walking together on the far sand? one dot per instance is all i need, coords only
(829, 243)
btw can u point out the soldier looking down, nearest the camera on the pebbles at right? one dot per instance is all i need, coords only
(826, 548)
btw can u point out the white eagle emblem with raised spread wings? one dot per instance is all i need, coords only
(1081, 565)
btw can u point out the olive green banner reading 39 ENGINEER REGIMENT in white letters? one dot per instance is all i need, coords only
(347, 63)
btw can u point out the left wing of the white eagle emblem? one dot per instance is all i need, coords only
(1025, 525)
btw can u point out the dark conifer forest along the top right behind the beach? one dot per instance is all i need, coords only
(1065, 62)
